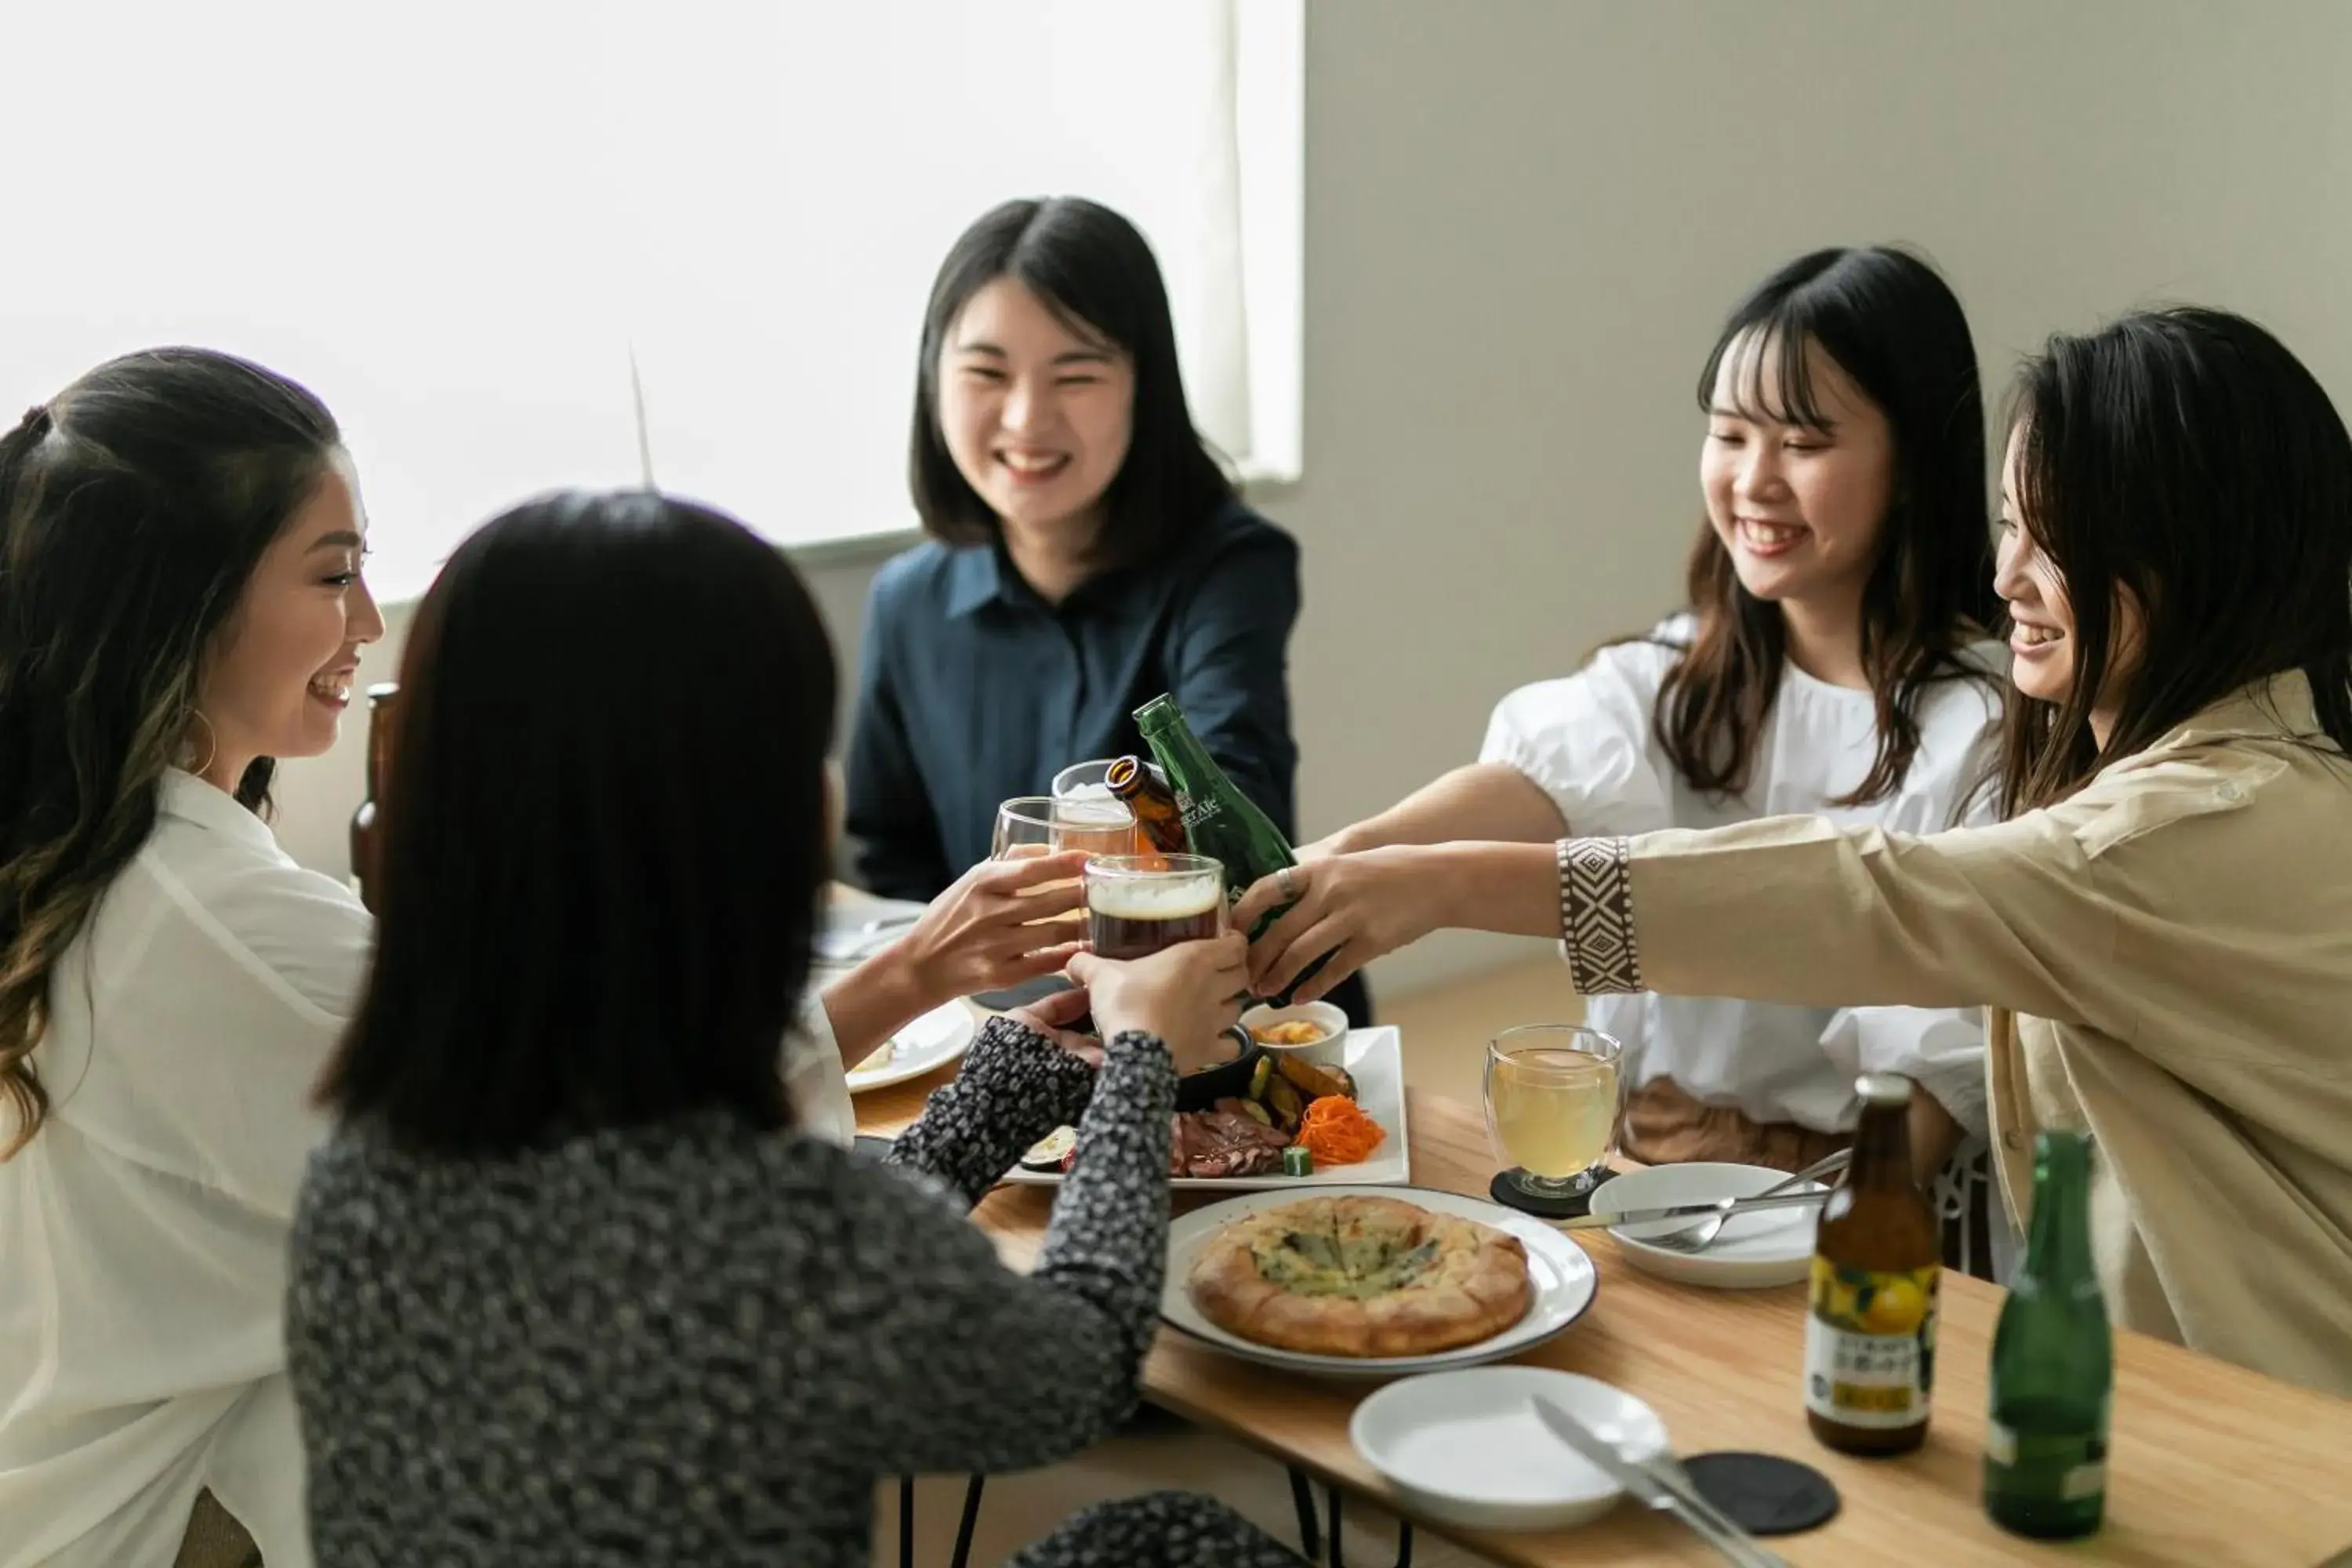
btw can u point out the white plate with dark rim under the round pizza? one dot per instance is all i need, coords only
(1561, 1273)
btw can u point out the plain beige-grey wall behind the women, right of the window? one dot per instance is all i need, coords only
(1528, 217)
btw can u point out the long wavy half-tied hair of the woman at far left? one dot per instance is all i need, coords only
(133, 511)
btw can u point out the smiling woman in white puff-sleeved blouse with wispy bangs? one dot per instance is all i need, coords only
(1831, 662)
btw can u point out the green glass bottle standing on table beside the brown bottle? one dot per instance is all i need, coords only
(2052, 1365)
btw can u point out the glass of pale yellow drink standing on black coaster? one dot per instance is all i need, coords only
(1553, 1097)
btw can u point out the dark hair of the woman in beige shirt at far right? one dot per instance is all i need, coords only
(2184, 464)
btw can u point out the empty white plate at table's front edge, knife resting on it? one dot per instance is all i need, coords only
(1469, 1449)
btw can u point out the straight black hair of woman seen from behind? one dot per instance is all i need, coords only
(599, 890)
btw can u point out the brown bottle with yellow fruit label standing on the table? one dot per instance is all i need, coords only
(1871, 1325)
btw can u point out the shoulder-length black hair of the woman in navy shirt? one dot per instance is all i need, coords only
(1097, 274)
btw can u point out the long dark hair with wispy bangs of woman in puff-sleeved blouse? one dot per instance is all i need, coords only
(1902, 337)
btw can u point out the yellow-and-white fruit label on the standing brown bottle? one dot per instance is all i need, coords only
(1871, 1346)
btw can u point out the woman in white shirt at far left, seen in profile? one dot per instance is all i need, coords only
(180, 608)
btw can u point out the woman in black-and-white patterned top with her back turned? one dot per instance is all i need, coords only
(568, 1287)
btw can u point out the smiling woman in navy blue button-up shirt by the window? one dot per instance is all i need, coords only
(1088, 554)
